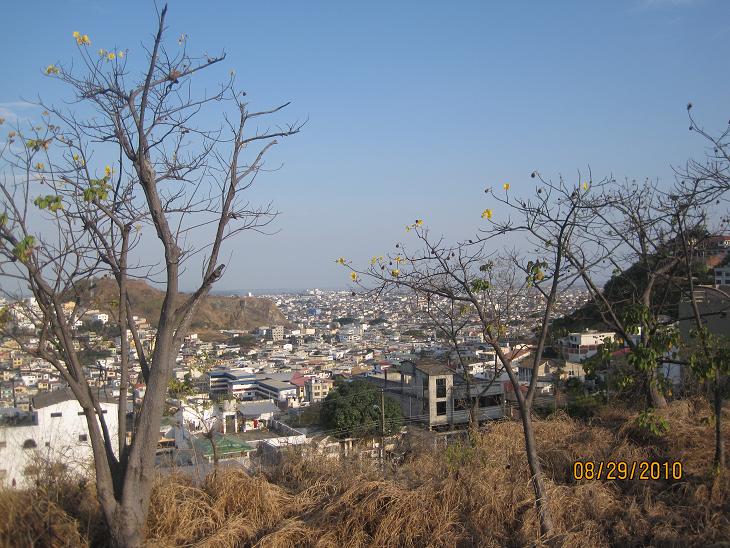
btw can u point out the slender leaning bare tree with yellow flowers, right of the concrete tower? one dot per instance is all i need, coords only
(469, 273)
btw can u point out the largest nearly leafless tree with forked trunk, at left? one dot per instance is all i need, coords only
(67, 220)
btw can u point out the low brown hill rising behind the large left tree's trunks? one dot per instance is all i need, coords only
(213, 314)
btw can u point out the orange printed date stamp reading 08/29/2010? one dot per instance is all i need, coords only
(627, 470)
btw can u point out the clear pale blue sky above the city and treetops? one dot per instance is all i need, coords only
(415, 107)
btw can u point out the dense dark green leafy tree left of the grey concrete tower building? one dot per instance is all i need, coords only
(353, 409)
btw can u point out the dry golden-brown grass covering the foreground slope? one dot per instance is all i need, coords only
(468, 495)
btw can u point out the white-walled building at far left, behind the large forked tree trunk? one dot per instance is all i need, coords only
(55, 431)
